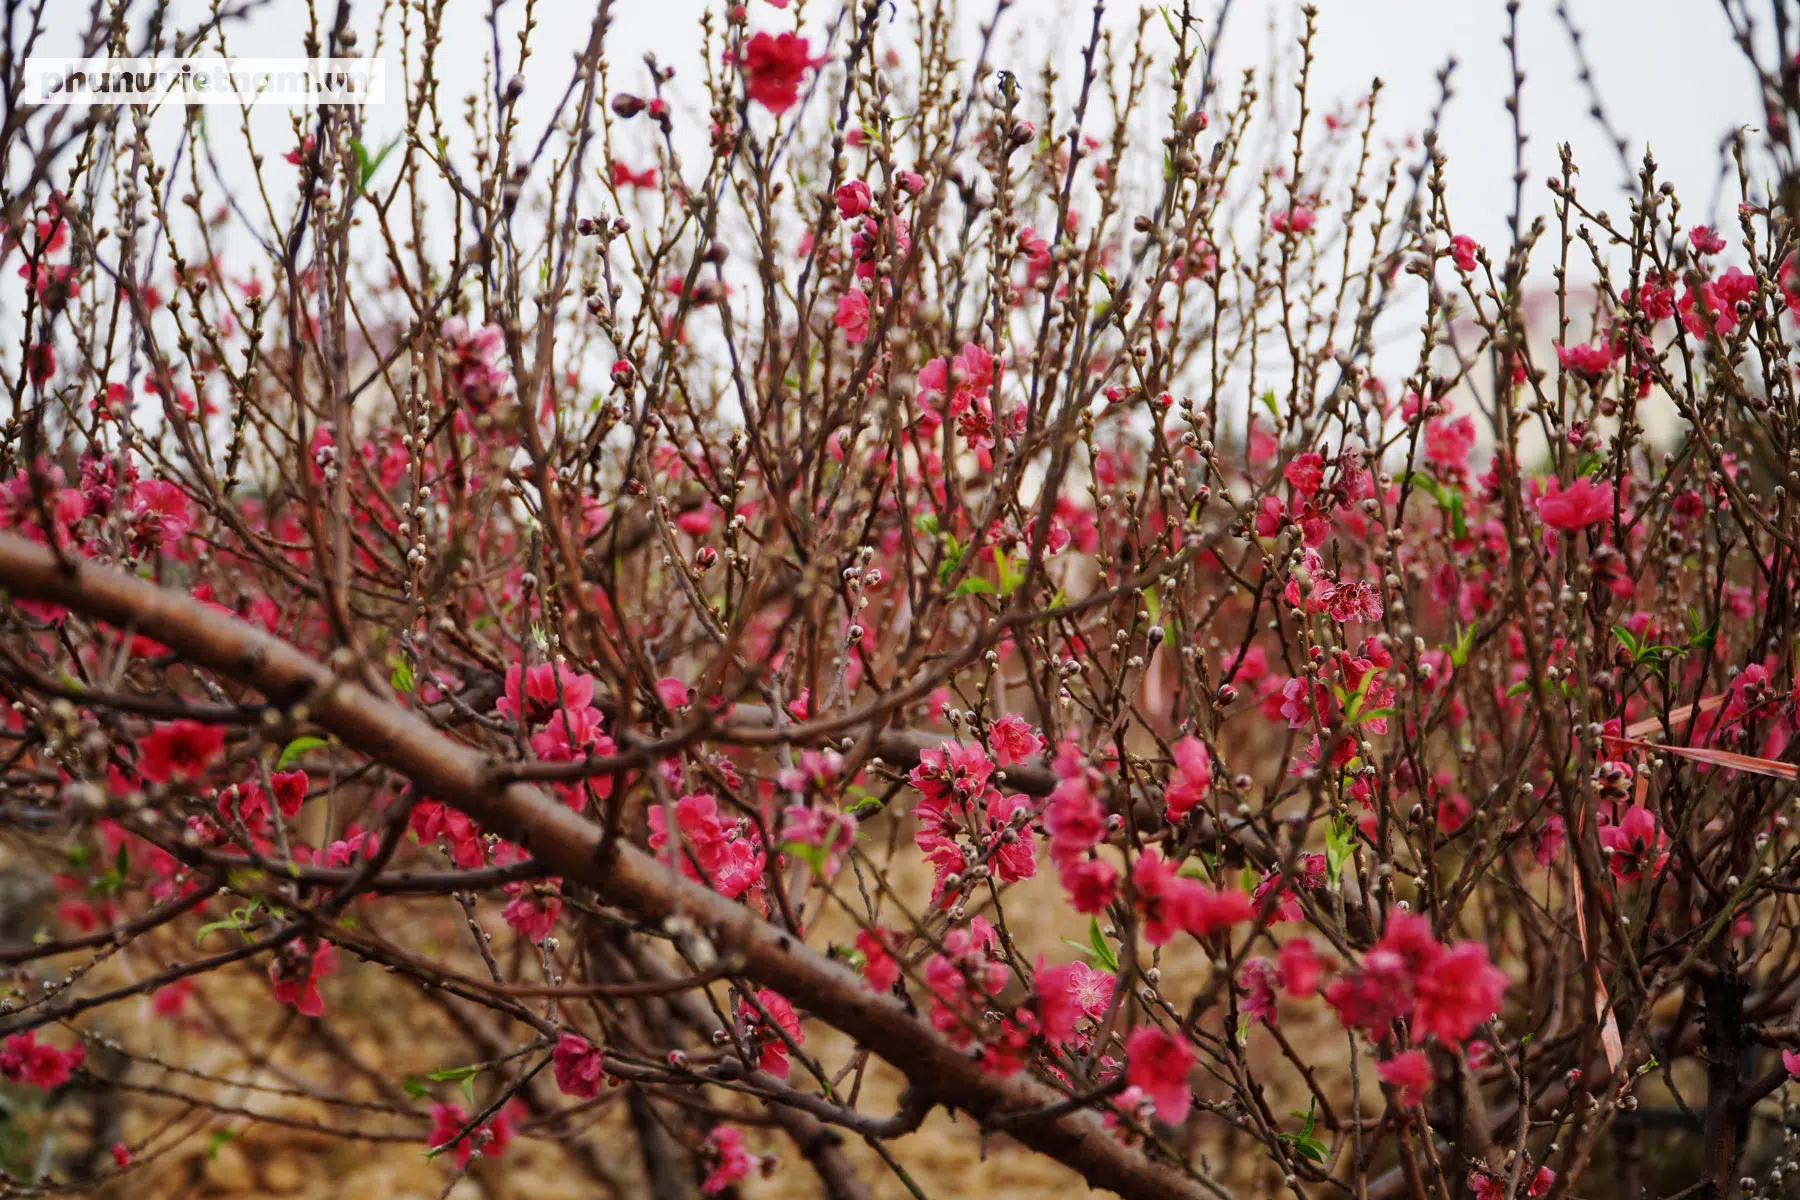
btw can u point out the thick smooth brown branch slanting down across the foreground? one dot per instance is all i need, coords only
(561, 839)
